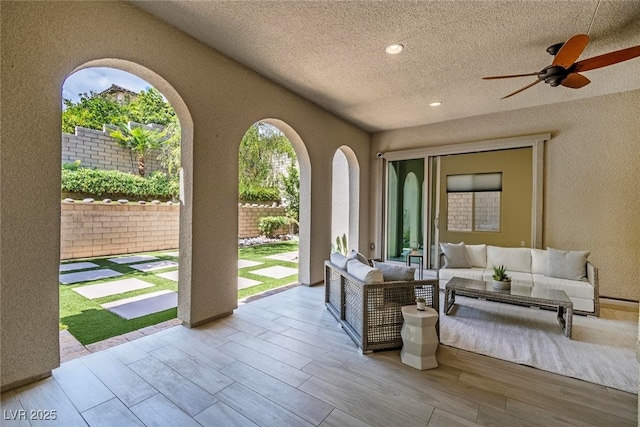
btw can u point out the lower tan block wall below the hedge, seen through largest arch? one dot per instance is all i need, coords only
(89, 230)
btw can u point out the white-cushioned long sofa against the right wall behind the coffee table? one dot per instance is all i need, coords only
(568, 271)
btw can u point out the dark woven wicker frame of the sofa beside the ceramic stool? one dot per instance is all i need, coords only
(371, 312)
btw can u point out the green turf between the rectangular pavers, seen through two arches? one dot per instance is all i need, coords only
(89, 322)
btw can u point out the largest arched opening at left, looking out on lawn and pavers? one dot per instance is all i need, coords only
(116, 306)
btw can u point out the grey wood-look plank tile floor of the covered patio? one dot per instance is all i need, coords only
(284, 361)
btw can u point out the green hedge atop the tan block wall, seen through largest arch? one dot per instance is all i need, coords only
(99, 182)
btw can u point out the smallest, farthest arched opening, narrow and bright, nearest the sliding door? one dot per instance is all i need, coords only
(345, 191)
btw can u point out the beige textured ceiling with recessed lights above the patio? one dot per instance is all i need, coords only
(332, 52)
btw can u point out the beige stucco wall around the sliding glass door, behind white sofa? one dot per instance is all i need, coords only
(591, 176)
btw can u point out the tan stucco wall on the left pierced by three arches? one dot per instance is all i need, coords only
(216, 101)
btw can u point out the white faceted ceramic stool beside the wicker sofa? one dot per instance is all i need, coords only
(419, 337)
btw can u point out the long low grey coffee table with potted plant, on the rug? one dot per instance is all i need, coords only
(521, 292)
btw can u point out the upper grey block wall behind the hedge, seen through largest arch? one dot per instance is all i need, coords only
(96, 149)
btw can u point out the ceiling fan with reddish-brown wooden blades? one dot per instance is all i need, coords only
(564, 70)
